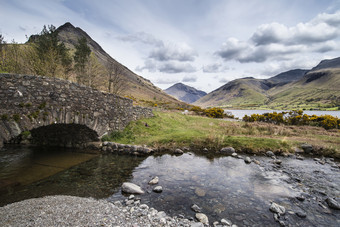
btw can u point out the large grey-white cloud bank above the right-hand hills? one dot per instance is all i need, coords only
(277, 42)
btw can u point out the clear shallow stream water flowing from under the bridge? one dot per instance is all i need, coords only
(224, 187)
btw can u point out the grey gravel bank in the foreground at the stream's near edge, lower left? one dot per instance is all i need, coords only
(76, 211)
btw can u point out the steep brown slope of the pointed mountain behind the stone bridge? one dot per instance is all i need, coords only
(139, 88)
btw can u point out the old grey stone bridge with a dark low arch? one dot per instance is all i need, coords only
(59, 112)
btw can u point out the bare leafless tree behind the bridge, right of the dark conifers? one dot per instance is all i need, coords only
(117, 82)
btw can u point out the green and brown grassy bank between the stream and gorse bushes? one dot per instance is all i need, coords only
(172, 130)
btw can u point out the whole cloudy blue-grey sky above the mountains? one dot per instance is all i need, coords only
(202, 43)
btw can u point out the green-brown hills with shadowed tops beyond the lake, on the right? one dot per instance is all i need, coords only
(318, 88)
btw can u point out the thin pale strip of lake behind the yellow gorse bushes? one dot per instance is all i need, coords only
(241, 113)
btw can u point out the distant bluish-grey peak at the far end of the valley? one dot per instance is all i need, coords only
(185, 93)
